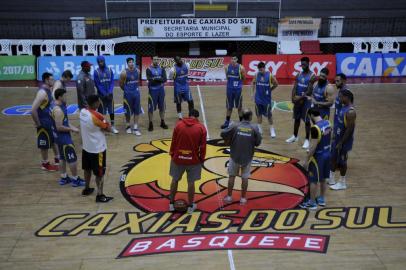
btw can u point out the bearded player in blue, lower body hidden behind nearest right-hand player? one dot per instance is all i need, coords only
(323, 95)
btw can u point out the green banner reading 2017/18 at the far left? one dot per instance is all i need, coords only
(17, 67)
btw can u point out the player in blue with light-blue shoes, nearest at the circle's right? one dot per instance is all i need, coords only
(317, 161)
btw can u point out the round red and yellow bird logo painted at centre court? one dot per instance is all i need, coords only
(276, 182)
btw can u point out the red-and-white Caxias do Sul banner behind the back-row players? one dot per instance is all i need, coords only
(201, 69)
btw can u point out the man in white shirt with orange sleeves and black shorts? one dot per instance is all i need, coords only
(92, 125)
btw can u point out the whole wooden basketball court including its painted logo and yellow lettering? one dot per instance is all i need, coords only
(362, 227)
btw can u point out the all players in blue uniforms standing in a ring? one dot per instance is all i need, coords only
(312, 98)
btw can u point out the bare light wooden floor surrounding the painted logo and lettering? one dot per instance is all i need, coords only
(30, 198)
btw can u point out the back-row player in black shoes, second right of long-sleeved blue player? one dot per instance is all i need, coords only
(156, 76)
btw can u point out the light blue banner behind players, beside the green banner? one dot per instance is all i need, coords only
(57, 64)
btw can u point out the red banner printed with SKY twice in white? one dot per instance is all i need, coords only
(288, 66)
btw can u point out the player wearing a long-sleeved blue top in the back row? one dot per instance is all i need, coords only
(104, 81)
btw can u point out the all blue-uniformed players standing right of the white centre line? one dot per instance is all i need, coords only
(312, 98)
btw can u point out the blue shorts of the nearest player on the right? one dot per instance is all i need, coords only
(319, 167)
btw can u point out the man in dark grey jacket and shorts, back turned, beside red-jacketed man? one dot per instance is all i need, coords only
(243, 138)
